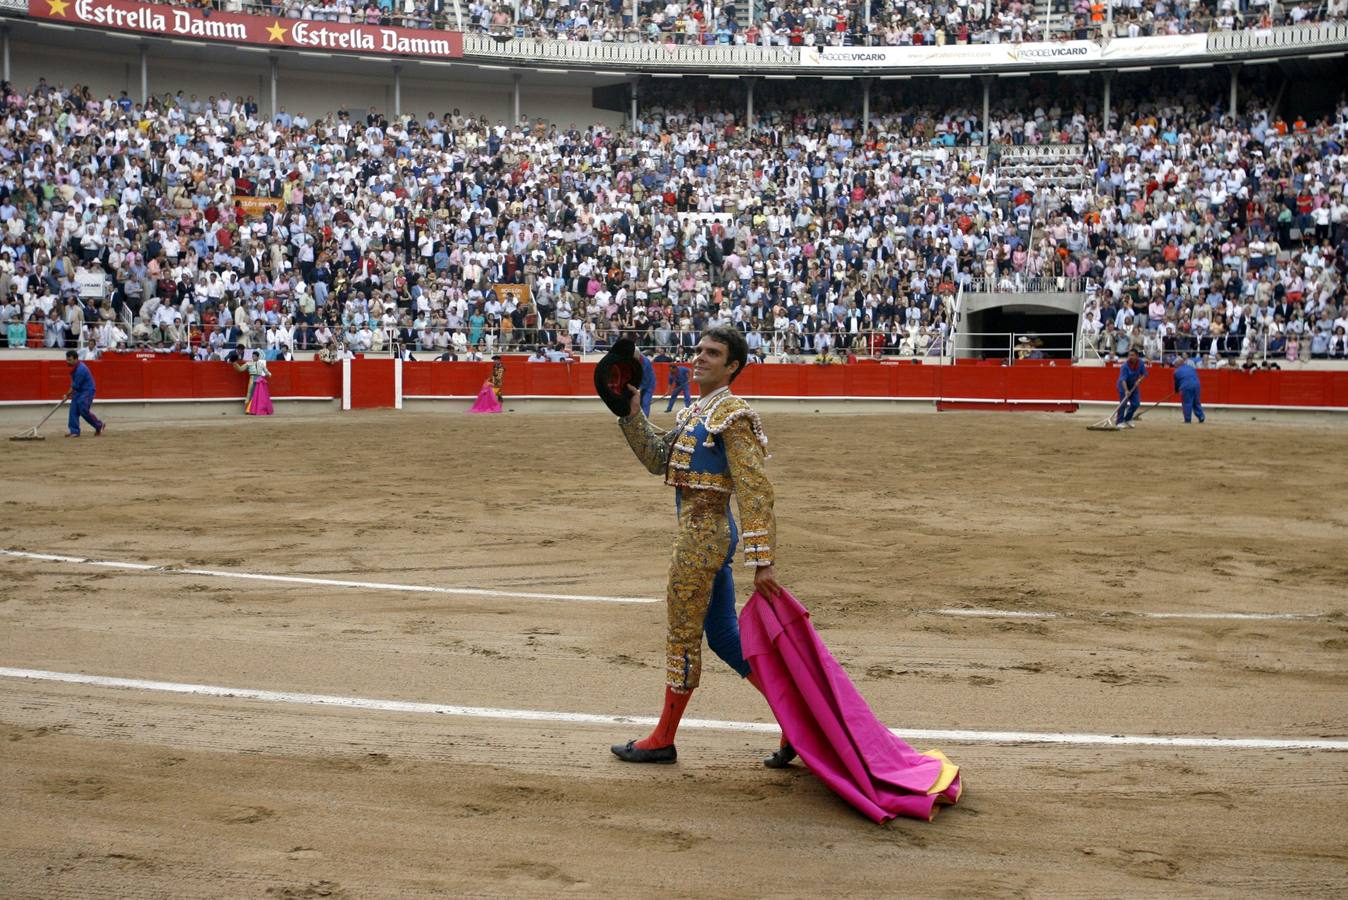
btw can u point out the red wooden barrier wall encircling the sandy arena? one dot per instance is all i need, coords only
(160, 379)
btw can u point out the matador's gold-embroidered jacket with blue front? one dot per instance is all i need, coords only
(719, 447)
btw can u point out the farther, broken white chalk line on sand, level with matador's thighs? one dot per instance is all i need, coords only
(598, 599)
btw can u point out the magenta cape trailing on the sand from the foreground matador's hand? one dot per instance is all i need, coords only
(830, 724)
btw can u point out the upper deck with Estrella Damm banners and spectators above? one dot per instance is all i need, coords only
(904, 38)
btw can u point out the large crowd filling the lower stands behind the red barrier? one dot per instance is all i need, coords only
(219, 228)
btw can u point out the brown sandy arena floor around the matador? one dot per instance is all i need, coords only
(885, 519)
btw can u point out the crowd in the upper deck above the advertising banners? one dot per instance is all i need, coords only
(803, 22)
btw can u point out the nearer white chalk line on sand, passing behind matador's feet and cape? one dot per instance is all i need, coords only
(718, 726)
